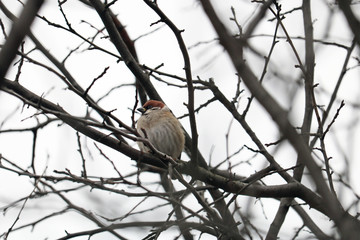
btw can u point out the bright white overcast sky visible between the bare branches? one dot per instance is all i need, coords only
(57, 146)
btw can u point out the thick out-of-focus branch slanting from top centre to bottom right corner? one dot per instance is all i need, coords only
(334, 209)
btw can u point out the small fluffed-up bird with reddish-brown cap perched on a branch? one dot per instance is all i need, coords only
(161, 128)
